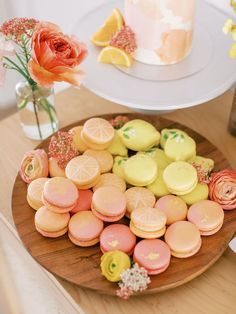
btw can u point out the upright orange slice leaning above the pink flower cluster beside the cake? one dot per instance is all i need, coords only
(113, 24)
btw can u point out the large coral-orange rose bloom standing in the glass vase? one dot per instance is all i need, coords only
(55, 56)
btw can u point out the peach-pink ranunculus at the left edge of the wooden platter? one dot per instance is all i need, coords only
(34, 165)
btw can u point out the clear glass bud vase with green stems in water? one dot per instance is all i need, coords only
(36, 108)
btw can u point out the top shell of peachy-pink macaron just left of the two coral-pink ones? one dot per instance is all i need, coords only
(85, 226)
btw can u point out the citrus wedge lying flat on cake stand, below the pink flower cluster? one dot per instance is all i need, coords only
(115, 55)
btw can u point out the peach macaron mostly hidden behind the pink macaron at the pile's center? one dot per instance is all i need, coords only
(110, 179)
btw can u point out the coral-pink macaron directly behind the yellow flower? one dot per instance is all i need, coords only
(117, 237)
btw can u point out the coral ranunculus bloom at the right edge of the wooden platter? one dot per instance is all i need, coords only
(222, 188)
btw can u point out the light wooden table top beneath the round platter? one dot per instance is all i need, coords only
(214, 291)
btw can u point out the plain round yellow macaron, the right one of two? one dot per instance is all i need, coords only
(180, 177)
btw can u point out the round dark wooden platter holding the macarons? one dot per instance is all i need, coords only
(81, 266)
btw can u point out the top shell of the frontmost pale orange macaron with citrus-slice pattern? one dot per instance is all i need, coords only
(148, 219)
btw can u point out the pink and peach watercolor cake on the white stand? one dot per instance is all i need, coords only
(163, 29)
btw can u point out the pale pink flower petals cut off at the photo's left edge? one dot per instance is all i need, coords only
(6, 50)
